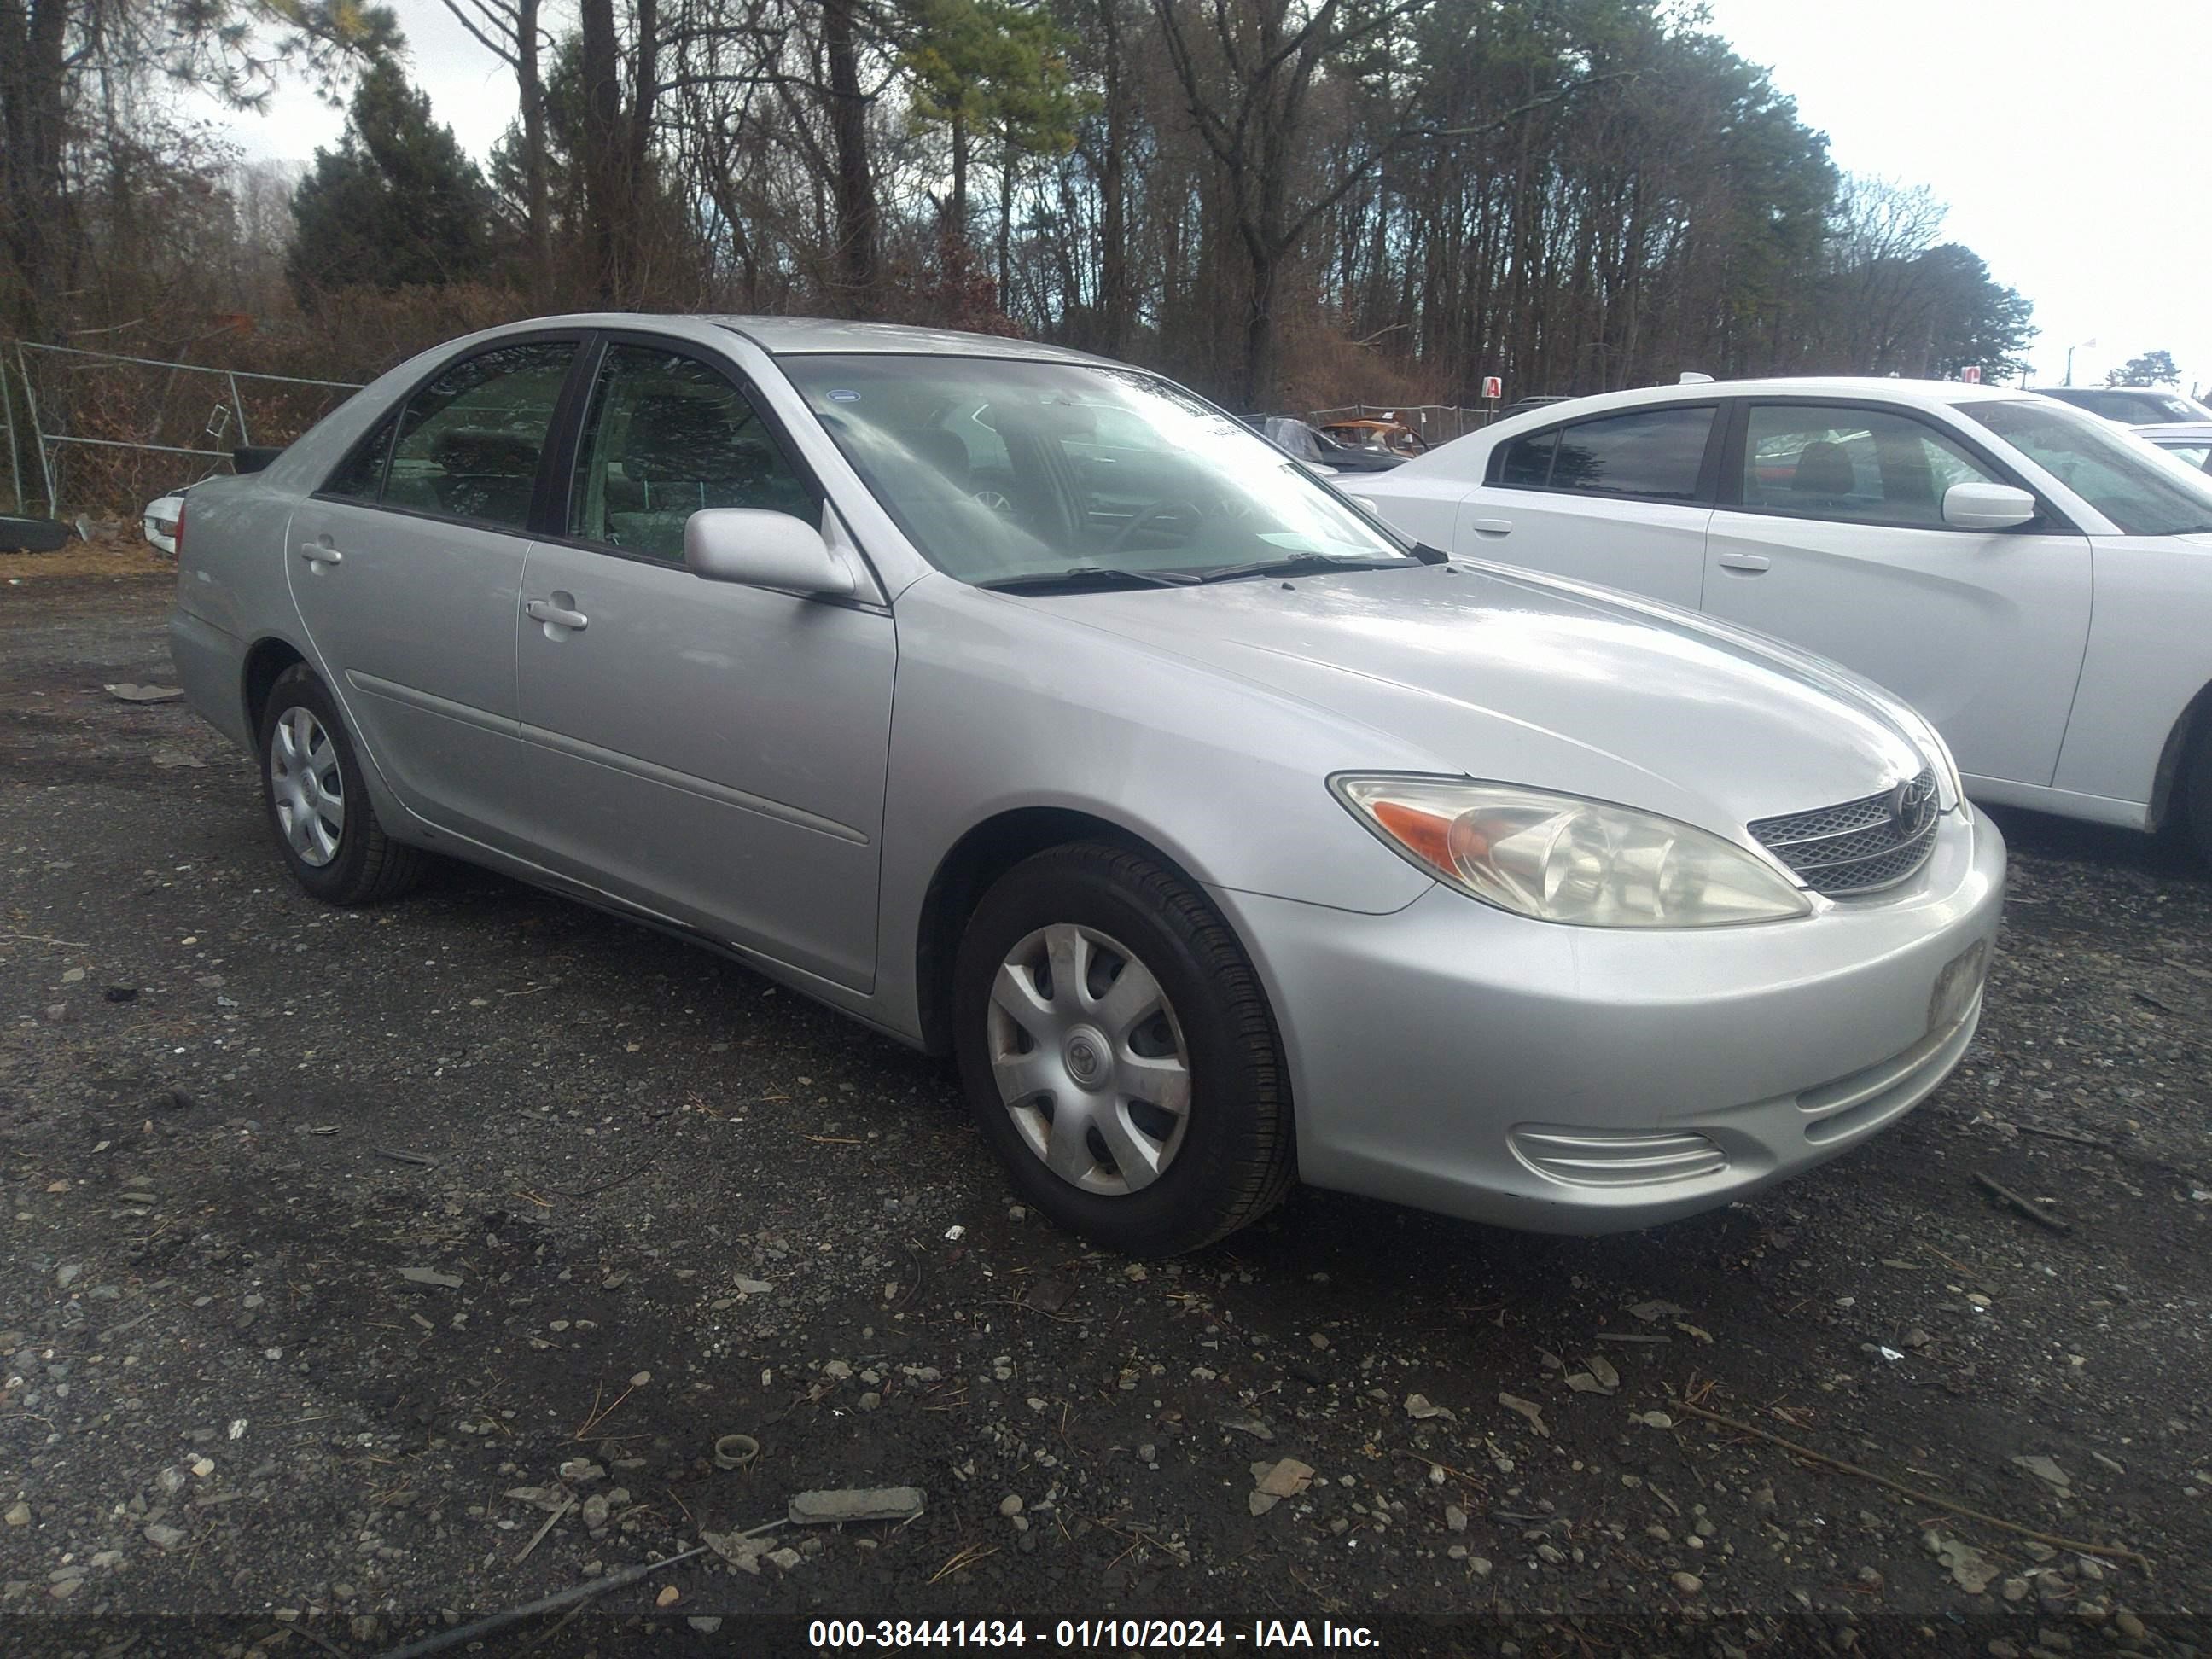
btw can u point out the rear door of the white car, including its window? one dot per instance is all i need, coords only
(1620, 499)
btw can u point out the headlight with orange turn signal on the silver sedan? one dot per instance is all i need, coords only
(1563, 859)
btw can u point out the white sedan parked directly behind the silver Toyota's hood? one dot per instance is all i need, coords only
(2034, 578)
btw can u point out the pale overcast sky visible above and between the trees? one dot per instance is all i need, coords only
(2060, 132)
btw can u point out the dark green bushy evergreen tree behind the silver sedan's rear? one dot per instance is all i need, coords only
(399, 200)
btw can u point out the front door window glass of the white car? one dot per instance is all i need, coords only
(1853, 466)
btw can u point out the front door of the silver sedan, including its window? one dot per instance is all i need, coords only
(707, 751)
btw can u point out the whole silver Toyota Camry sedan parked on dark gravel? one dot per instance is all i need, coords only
(1039, 713)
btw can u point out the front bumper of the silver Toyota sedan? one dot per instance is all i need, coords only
(1592, 1081)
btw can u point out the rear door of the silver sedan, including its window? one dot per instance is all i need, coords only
(408, 574)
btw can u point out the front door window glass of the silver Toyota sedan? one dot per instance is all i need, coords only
(665, 439)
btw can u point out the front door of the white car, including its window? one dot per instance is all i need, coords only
(1830, 534)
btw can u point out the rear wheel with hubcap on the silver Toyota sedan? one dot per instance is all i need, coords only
(317, 806)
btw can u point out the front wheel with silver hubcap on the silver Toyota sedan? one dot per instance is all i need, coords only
(1140, 1176)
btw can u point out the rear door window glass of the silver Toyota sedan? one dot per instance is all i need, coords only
(470, 441)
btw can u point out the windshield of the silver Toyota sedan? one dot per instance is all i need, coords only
(1003, 470)
